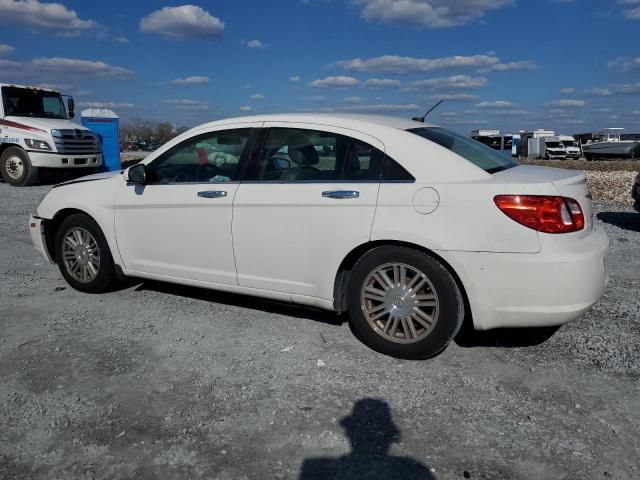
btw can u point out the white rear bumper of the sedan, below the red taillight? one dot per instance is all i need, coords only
(549, 288)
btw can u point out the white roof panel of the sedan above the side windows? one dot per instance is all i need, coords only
(335, 119)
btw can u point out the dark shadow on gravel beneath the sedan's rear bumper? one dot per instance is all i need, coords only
(504, 337)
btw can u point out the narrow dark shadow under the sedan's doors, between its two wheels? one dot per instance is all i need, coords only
(244, 301)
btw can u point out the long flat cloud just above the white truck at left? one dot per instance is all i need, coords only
(75, 67)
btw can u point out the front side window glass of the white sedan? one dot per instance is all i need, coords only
(209, 158)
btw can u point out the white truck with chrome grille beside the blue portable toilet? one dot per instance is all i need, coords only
(36, 132)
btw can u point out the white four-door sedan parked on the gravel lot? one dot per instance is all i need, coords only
(408, 227)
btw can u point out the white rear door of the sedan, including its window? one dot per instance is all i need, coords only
(308, 200)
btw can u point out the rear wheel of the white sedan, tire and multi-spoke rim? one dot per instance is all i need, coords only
(414, 337)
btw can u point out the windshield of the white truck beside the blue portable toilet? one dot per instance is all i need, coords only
(24, 102)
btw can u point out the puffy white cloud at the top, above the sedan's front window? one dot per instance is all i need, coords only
(183, 22)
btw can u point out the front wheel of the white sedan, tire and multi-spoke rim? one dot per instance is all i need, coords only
(80, 269)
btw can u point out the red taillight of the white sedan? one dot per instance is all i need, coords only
(546, 214)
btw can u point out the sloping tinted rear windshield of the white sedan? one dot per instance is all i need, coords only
(480, 155)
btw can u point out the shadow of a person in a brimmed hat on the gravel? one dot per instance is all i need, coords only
(371, 432)
